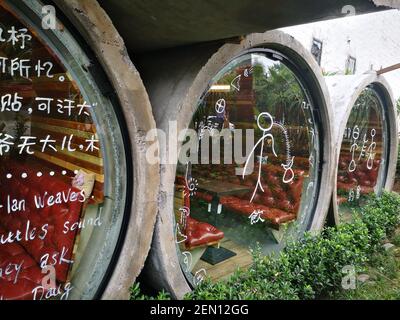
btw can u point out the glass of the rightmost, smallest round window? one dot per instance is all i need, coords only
(363, 153)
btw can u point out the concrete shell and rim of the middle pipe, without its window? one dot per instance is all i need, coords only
(176, 80)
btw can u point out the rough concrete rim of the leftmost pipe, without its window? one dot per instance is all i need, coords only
(97, 29)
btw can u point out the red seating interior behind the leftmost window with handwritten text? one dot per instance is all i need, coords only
(51, 181)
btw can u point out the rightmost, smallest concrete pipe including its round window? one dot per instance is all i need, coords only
(365, 132)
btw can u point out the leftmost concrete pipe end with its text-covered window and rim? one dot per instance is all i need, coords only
(70, 206)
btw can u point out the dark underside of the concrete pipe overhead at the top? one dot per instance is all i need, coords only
(153, 24)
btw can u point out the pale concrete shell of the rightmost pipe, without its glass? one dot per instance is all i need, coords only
(344, 92)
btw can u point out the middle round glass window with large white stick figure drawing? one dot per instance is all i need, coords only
(248, 172)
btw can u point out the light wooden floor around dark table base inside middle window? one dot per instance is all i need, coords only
(243, 259)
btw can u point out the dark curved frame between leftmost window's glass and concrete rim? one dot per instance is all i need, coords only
(73, 45)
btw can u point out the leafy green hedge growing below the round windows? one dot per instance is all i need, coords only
(312, 267)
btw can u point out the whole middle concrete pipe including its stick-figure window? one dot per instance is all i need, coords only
(254, 163)
